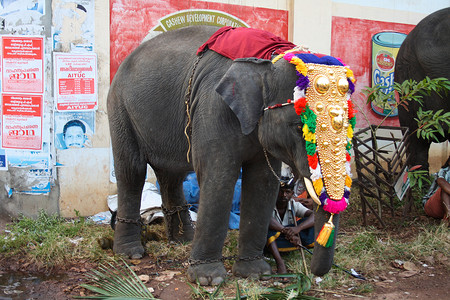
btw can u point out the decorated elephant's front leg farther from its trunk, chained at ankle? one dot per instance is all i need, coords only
(216, 193)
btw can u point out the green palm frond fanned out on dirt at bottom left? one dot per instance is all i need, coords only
(116, 282)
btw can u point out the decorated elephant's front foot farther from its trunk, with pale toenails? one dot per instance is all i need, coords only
(207, 274)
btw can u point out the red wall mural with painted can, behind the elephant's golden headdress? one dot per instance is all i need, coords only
(370, 48)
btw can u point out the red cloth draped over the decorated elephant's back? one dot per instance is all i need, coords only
(244, 42)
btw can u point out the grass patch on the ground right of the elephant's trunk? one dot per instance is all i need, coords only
(371, 252)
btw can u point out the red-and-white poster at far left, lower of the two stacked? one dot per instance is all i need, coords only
(22, 121)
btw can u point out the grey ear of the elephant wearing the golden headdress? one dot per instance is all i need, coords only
(243, 88)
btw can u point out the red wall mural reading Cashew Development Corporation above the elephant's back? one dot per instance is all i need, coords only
(134, 21)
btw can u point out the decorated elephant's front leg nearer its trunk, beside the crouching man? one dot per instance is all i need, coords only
(259, 193)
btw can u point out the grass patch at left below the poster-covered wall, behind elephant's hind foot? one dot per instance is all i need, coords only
(51, 241)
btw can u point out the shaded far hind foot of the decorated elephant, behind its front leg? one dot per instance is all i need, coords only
(178, 224)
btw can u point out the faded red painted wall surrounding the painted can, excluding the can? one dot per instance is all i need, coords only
(352, 42)
